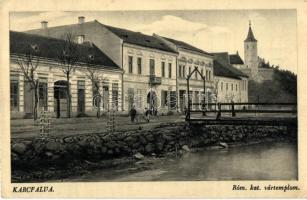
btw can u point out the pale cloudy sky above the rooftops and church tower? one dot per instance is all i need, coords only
(210, 30)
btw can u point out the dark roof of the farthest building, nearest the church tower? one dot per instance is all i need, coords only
(221, 61)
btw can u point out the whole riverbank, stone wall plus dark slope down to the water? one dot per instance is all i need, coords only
(61, 157)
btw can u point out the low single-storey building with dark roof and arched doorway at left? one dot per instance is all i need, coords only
(49, 71)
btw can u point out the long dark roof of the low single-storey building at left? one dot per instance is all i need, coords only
(50, 48)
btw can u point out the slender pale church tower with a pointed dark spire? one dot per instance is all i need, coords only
(250, 53)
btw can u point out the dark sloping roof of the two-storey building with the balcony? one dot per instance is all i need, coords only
(139, 39)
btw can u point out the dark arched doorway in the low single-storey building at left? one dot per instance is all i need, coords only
(60, 98)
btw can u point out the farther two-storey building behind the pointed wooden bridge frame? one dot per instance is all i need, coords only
(190, 57)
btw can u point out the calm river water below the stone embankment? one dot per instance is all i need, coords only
(265, 161)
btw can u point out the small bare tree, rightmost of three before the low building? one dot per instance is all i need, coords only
(95, 77)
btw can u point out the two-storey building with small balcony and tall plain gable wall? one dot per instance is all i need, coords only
(149, 78)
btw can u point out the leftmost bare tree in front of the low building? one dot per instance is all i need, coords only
(28, 64)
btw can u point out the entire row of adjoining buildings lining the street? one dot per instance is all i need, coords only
(134, 69)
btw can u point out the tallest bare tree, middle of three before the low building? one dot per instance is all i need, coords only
(68, 57)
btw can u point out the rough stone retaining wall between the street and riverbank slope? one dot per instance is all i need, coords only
(163, 139)
